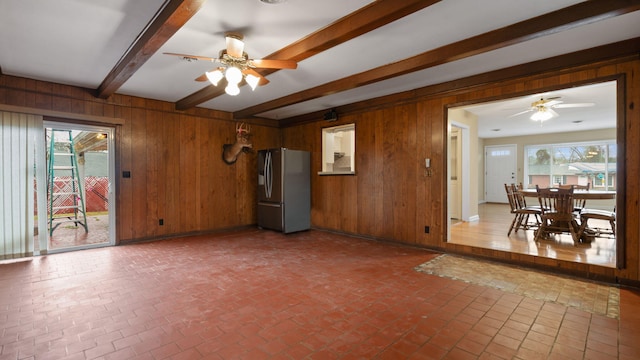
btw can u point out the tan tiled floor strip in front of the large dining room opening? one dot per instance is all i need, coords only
(589, 296)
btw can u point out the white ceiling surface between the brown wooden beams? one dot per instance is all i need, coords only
(78, 42)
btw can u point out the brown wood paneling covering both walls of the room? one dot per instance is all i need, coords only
(177, 173)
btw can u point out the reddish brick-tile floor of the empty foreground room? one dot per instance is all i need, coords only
(258, 294)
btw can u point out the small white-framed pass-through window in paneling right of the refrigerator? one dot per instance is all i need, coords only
(338, 150)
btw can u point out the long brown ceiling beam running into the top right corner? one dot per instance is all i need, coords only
(544, 25)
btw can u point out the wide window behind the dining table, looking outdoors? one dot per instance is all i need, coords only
(572, 163)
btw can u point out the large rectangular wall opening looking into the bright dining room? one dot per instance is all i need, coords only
(586, 115)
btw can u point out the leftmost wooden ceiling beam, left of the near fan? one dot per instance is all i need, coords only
(167, 22)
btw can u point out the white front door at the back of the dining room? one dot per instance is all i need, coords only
(500, 169)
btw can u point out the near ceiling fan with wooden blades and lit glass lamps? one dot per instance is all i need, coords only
(236, 66)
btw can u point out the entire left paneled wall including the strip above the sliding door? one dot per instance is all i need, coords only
(174, 157)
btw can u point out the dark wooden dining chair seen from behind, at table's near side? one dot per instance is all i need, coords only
(557, 215)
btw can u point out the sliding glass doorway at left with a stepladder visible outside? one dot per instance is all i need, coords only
(79, 178)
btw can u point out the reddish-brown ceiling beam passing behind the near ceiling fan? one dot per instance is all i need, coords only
(368, 18)
